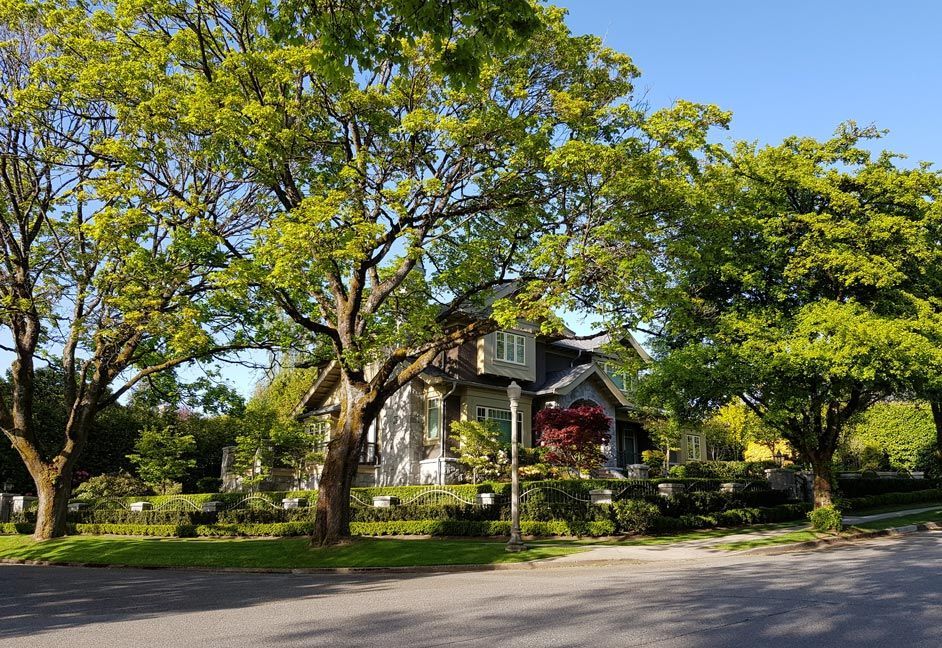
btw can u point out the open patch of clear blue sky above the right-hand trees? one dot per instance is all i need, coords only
(785, 68)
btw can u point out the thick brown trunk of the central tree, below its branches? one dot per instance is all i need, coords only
(332, 515)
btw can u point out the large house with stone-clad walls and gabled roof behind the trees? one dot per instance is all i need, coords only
(410, 442)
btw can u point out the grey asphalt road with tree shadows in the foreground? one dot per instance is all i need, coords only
(882, 593)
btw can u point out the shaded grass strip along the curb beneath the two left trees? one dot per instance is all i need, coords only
(282, 553)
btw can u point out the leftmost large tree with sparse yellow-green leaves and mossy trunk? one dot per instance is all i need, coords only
(109, 236)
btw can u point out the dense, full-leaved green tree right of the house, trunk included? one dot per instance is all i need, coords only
(792, 284)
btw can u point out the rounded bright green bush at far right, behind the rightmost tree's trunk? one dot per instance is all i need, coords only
(903, 433)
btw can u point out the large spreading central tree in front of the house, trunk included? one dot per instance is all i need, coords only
(408, 159)
